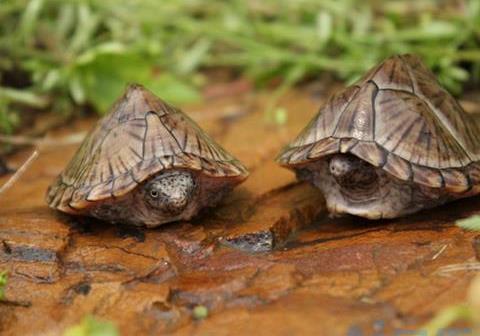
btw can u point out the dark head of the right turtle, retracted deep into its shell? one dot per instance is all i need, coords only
(351, 172)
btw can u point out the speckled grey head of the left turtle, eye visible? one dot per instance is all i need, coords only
(170, 192)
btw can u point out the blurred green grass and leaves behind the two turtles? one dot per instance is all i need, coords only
(58, 54)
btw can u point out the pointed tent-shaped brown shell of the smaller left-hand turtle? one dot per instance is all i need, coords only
(141, 136)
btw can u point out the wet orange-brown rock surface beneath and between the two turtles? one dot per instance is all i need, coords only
(268, 261)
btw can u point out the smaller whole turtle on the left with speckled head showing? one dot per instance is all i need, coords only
(145, 163)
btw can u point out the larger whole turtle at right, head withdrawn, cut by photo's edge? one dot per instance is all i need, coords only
(393, 143)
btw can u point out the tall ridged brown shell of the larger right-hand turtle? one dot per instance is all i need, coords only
(397, 117)
